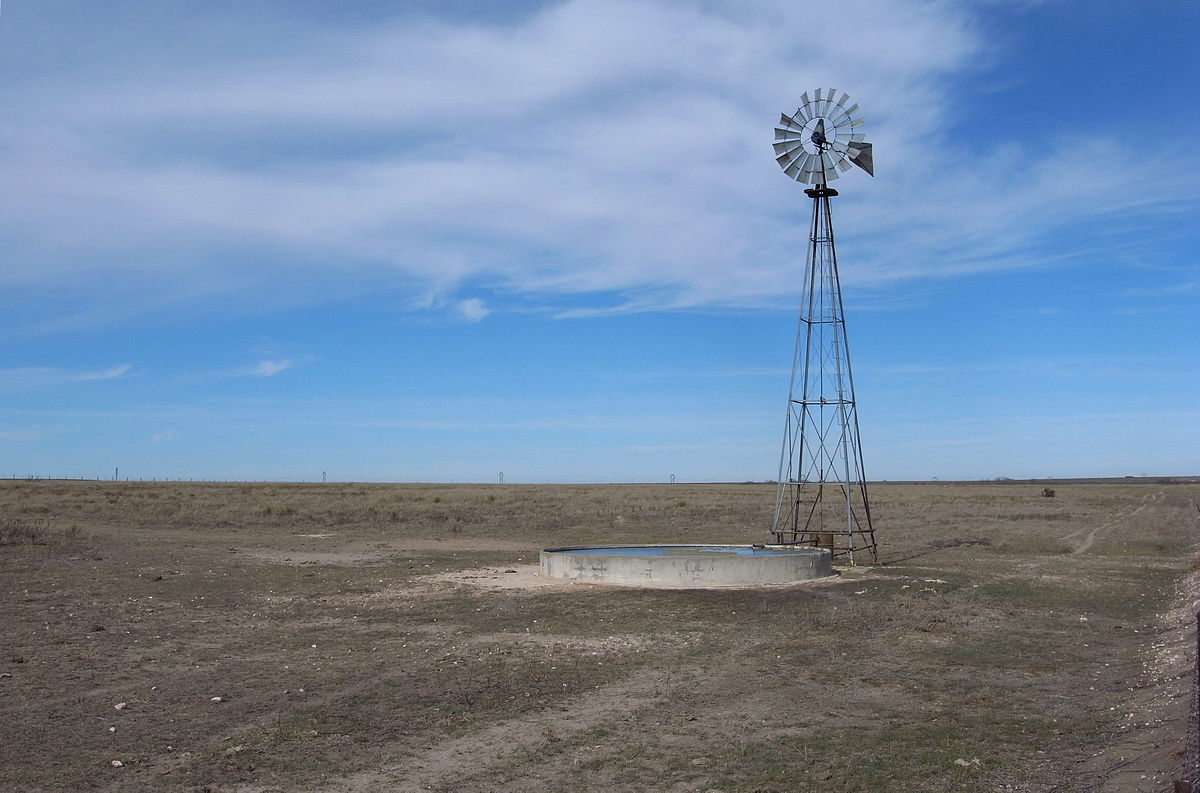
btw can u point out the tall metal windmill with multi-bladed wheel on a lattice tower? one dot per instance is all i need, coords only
(821, 495)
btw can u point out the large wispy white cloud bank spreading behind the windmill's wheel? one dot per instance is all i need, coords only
(615, 148)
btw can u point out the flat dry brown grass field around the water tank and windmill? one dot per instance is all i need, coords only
(394, 638)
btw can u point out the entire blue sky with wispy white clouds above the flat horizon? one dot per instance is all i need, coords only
(441, 242)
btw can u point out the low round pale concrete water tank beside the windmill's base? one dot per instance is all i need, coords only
(673, 567)
